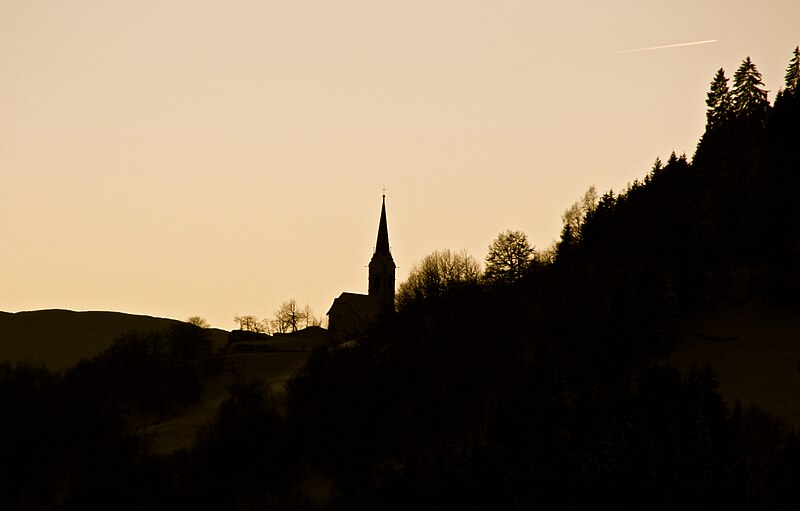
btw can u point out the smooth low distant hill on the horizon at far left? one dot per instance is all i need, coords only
(61, 338)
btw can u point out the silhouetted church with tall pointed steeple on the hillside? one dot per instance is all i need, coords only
(351, 314)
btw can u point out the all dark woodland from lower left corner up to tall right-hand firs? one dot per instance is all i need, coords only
(540, 385)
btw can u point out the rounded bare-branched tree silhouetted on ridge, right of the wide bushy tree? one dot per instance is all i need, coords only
(510, 257)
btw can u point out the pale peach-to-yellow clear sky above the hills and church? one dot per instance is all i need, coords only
(178, 158)
